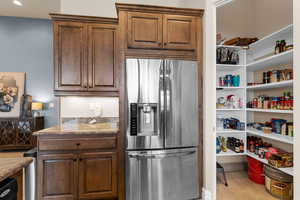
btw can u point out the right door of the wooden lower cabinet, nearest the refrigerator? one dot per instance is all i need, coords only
(97, 175)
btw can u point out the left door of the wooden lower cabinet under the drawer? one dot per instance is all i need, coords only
(57, 176)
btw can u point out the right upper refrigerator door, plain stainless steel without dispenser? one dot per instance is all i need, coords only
(181, 99)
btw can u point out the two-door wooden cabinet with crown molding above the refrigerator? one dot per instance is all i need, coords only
(177, 30)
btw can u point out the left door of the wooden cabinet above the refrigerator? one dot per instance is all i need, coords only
(144, 30)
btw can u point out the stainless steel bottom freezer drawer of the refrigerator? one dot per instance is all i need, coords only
(162, 175)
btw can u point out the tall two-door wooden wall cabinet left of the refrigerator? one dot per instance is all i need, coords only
(85, 55)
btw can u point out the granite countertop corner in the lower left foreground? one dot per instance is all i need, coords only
(11, 166)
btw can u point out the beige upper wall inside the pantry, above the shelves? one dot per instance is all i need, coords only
(253, 18)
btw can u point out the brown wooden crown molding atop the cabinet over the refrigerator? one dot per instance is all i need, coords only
(158, 9)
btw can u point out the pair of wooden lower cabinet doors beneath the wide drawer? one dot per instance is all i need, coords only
(78, 175)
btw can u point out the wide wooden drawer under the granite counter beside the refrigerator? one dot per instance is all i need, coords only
(77, 144)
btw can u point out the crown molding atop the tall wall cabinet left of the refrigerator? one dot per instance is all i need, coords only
(83, 18)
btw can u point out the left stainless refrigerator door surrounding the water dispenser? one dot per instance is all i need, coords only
(144, 85)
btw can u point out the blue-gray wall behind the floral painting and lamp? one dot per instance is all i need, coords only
(26, 46)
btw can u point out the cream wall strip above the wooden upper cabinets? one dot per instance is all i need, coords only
(105, 8)
